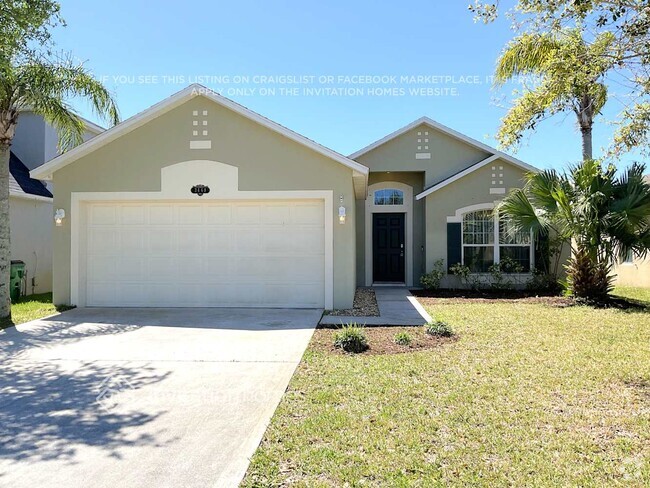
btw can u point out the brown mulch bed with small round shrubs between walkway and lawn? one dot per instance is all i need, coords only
(382, 340)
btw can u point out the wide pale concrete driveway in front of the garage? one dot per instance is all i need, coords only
(143, 397)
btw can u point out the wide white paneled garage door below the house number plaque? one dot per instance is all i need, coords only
(217, 254)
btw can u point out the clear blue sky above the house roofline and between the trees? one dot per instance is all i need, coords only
(145, 51)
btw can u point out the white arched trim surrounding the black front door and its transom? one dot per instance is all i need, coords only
(407, 209)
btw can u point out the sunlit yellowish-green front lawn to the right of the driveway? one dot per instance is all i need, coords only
(530, 394)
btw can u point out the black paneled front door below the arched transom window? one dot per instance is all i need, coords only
(388, 247)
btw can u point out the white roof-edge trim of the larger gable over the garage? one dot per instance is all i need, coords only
(360, 172)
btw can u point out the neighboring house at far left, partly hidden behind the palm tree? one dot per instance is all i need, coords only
(30, 200)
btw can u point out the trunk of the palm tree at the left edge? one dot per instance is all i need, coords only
(5, 237)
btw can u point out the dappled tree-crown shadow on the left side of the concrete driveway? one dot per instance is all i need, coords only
(47, 412)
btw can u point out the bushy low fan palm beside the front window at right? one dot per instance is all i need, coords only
(602, 215)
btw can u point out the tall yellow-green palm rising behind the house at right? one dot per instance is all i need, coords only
(569, 73)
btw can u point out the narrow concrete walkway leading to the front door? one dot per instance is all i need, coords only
(397, 306)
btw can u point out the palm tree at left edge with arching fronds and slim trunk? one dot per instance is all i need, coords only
(43, 85)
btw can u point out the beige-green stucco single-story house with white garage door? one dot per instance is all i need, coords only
(199, 201)
